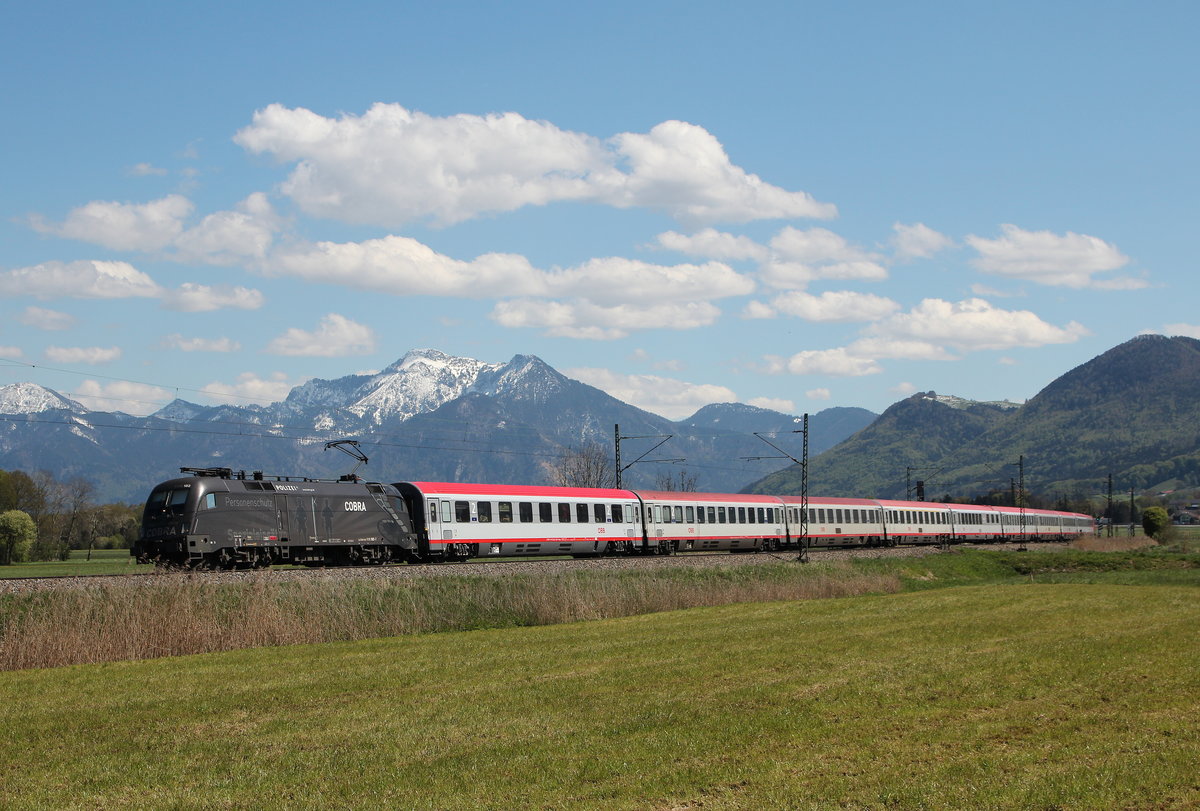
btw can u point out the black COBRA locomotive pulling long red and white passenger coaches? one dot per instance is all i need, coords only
(220, 519)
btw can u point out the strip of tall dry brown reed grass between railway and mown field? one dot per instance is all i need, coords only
(182, 616)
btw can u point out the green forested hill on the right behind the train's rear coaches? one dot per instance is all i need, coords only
(1133, 412)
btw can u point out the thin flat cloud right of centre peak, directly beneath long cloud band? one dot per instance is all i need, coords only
(583, 320)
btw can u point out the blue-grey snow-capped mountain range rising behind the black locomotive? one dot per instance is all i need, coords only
(428, 417)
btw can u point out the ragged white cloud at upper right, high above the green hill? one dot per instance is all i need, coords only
(1047, 259)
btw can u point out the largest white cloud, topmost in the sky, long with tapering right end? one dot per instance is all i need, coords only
(392, 166)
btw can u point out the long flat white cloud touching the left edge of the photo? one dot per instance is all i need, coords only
(86, 279)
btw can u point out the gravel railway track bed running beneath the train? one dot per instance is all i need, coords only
(475, 568)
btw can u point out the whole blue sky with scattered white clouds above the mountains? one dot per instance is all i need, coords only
(796, 206)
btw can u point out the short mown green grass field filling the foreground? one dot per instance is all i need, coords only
(985, 696)
